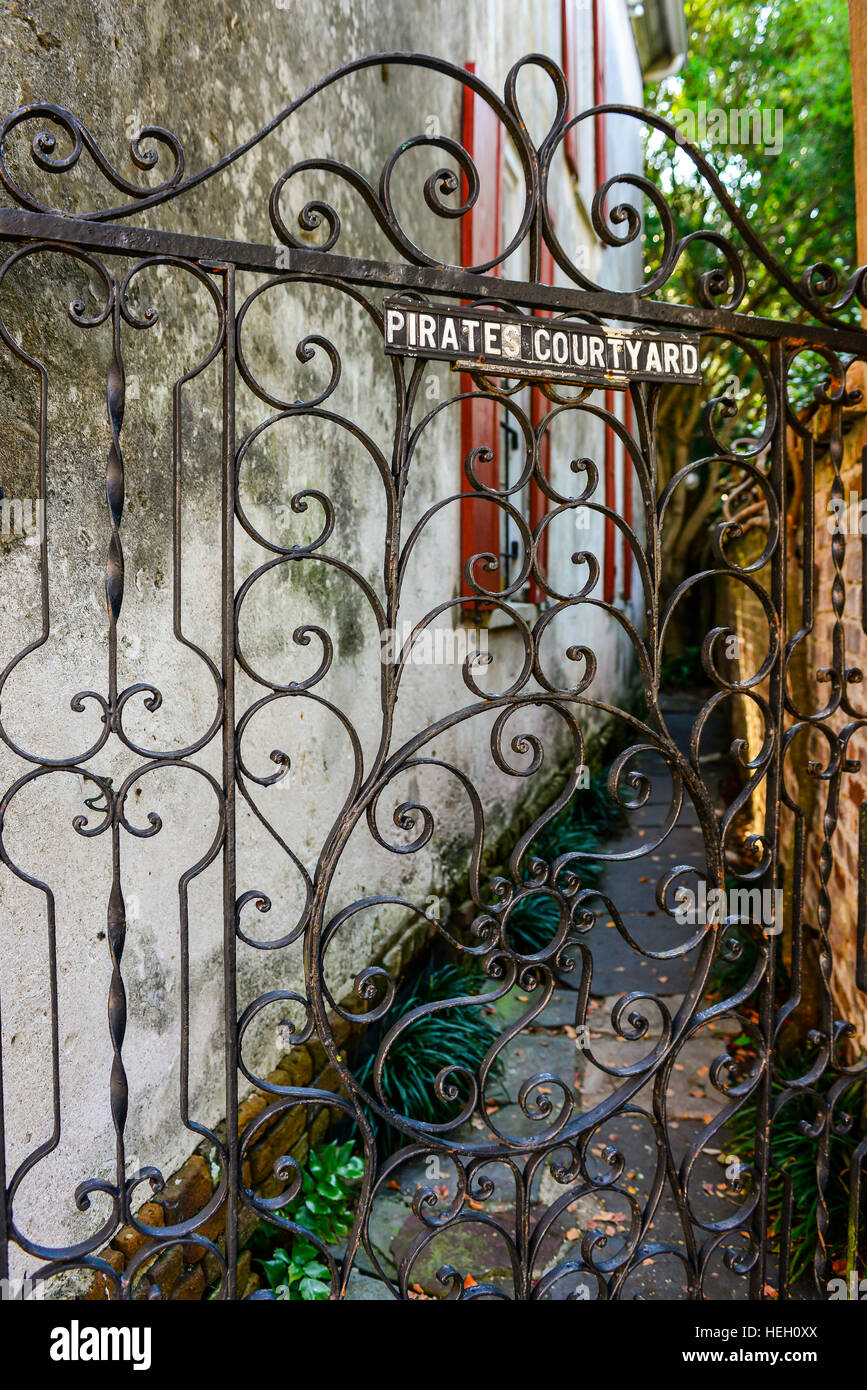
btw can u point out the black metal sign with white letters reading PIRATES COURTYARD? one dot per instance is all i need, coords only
(518, 345)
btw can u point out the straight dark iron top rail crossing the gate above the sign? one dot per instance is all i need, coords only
(274, 259)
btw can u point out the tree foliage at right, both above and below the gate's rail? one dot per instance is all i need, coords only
(784, 58)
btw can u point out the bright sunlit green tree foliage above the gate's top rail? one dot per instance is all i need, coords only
(790, 58)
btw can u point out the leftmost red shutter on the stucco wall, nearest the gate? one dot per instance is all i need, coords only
(481, 137)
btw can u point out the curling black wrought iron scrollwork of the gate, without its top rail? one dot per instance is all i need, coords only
(551, 1135)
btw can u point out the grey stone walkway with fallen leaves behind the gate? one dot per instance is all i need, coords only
(479, 1250)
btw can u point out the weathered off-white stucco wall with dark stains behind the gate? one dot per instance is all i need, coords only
(215, 74)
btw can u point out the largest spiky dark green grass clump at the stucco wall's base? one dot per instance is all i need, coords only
(451, 1038)
